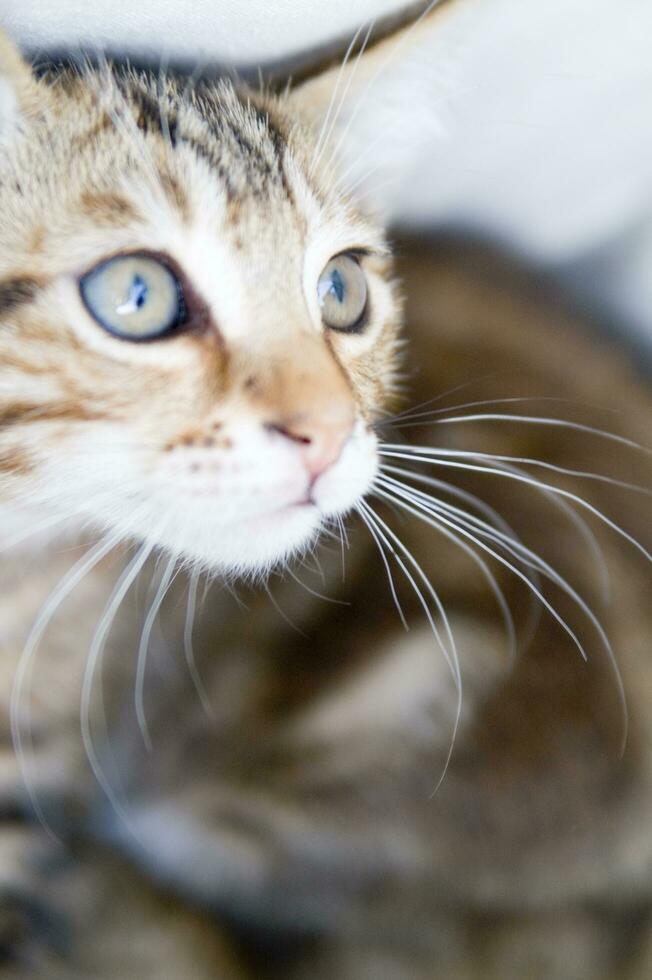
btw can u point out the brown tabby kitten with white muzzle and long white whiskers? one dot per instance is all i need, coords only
(188, 299)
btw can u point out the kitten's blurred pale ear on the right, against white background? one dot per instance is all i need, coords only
(374, 108)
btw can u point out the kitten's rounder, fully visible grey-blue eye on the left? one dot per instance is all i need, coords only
(136, 297)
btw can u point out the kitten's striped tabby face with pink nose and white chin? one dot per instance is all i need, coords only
(230, 428)
